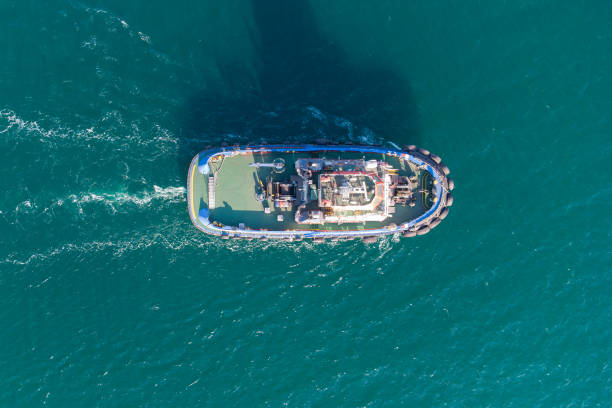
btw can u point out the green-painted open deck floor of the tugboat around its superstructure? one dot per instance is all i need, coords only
(237, 184)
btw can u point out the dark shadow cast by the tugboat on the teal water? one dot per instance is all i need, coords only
(303, 90)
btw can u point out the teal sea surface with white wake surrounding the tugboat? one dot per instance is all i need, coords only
(109, 297)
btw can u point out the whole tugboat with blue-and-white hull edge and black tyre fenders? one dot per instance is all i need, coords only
(317, 192)
